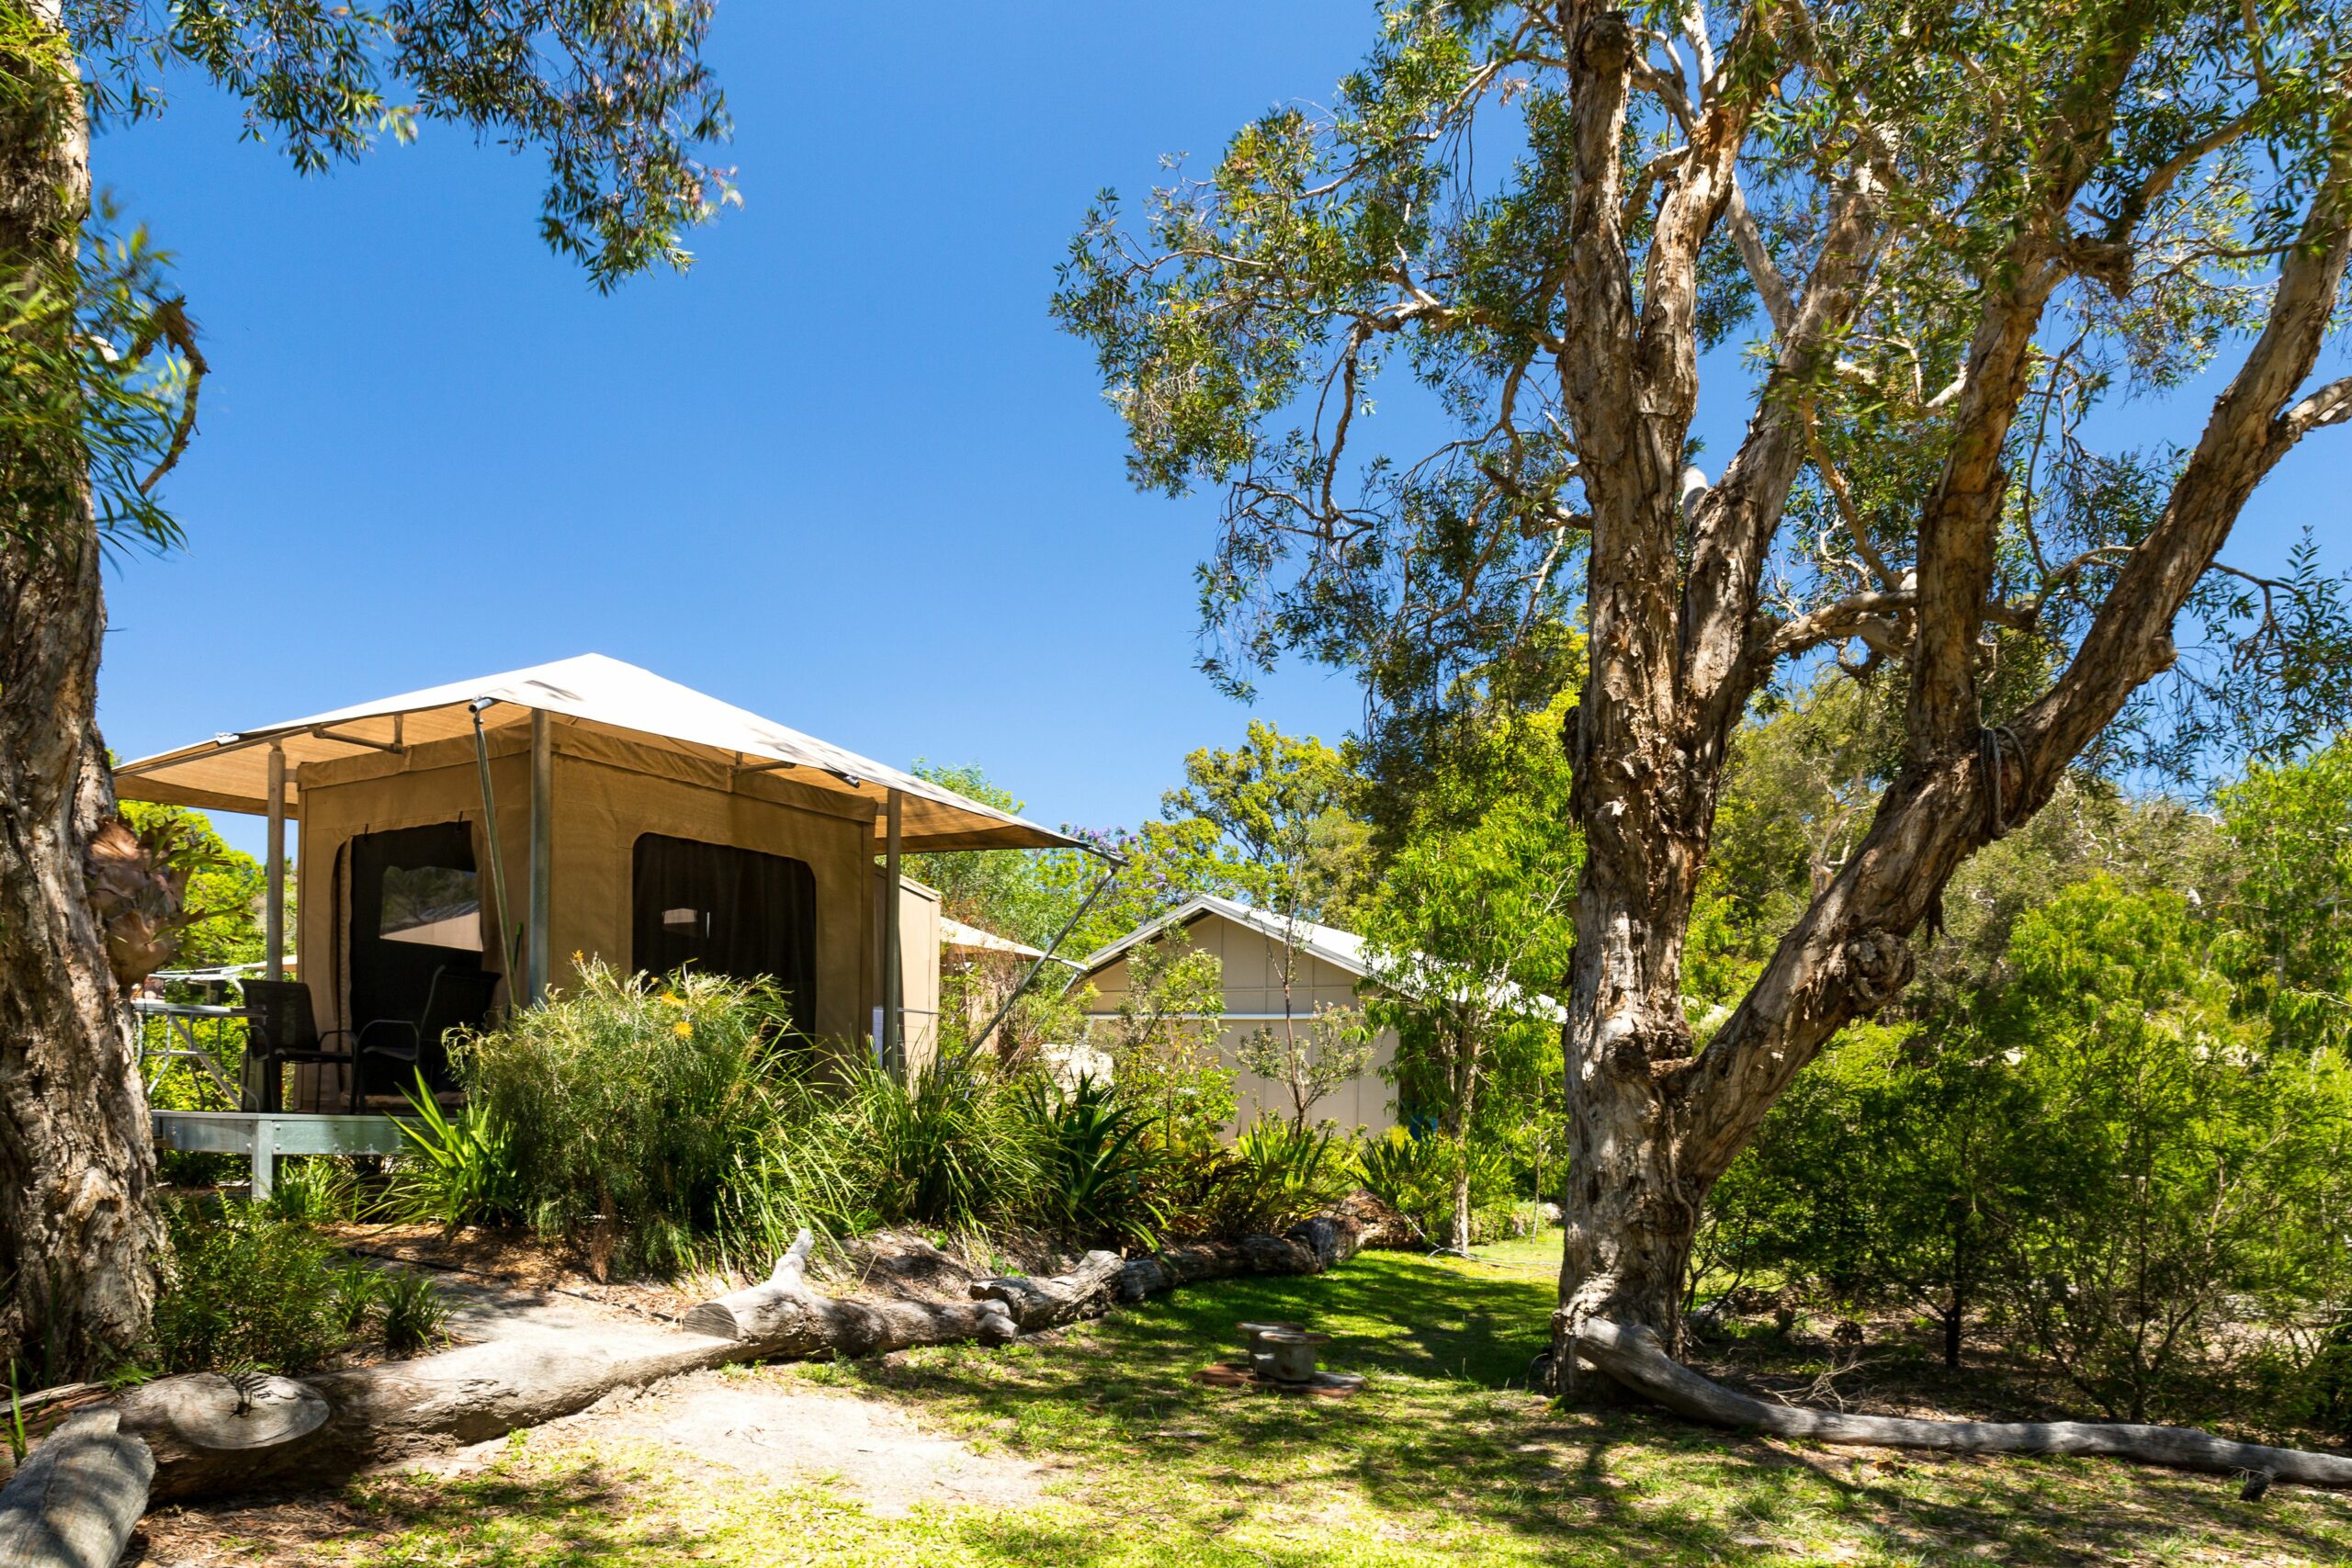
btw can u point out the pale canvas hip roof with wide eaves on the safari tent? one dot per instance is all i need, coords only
(592, 692)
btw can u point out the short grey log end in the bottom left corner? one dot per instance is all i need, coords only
(76, 1499)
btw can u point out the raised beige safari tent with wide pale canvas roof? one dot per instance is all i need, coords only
(587, 808)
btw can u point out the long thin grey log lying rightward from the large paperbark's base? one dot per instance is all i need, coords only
(1638, 1360)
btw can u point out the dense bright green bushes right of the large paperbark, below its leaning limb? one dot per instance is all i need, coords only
(2104, 1153)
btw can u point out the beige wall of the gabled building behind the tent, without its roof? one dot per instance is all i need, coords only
(1252, 972)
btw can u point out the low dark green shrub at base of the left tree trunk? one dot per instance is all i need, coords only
(246, 1289)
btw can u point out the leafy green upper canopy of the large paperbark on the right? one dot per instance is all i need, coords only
(1255, 319)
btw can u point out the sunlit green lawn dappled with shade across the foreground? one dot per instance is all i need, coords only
(1443, 1459)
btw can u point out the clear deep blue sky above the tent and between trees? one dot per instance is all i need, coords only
(843, 474)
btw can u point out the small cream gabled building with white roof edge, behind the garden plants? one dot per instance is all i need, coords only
(1328, 967)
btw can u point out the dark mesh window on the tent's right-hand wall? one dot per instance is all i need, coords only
(730, 913)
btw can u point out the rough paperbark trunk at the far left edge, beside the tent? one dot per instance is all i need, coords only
(79, 1228)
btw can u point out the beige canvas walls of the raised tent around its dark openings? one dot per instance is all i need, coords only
(606, 796)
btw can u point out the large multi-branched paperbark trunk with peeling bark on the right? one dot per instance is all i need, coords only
(1681, 636)
